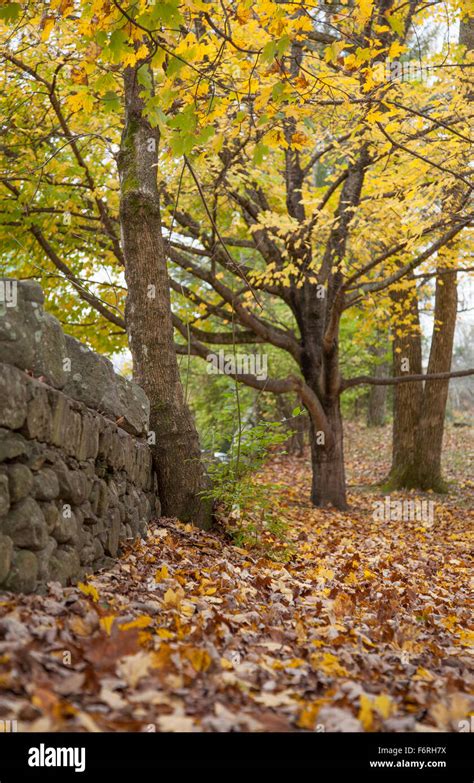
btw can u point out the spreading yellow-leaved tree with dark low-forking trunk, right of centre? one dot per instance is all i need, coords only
(321, 244)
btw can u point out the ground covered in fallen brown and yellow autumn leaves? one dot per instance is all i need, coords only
(363, 625)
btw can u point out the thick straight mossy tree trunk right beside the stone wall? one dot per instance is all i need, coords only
(148, 315)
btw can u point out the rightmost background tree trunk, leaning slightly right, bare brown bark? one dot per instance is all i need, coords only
(431, 426)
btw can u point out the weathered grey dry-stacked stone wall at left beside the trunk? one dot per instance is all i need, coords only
(76, 477)
